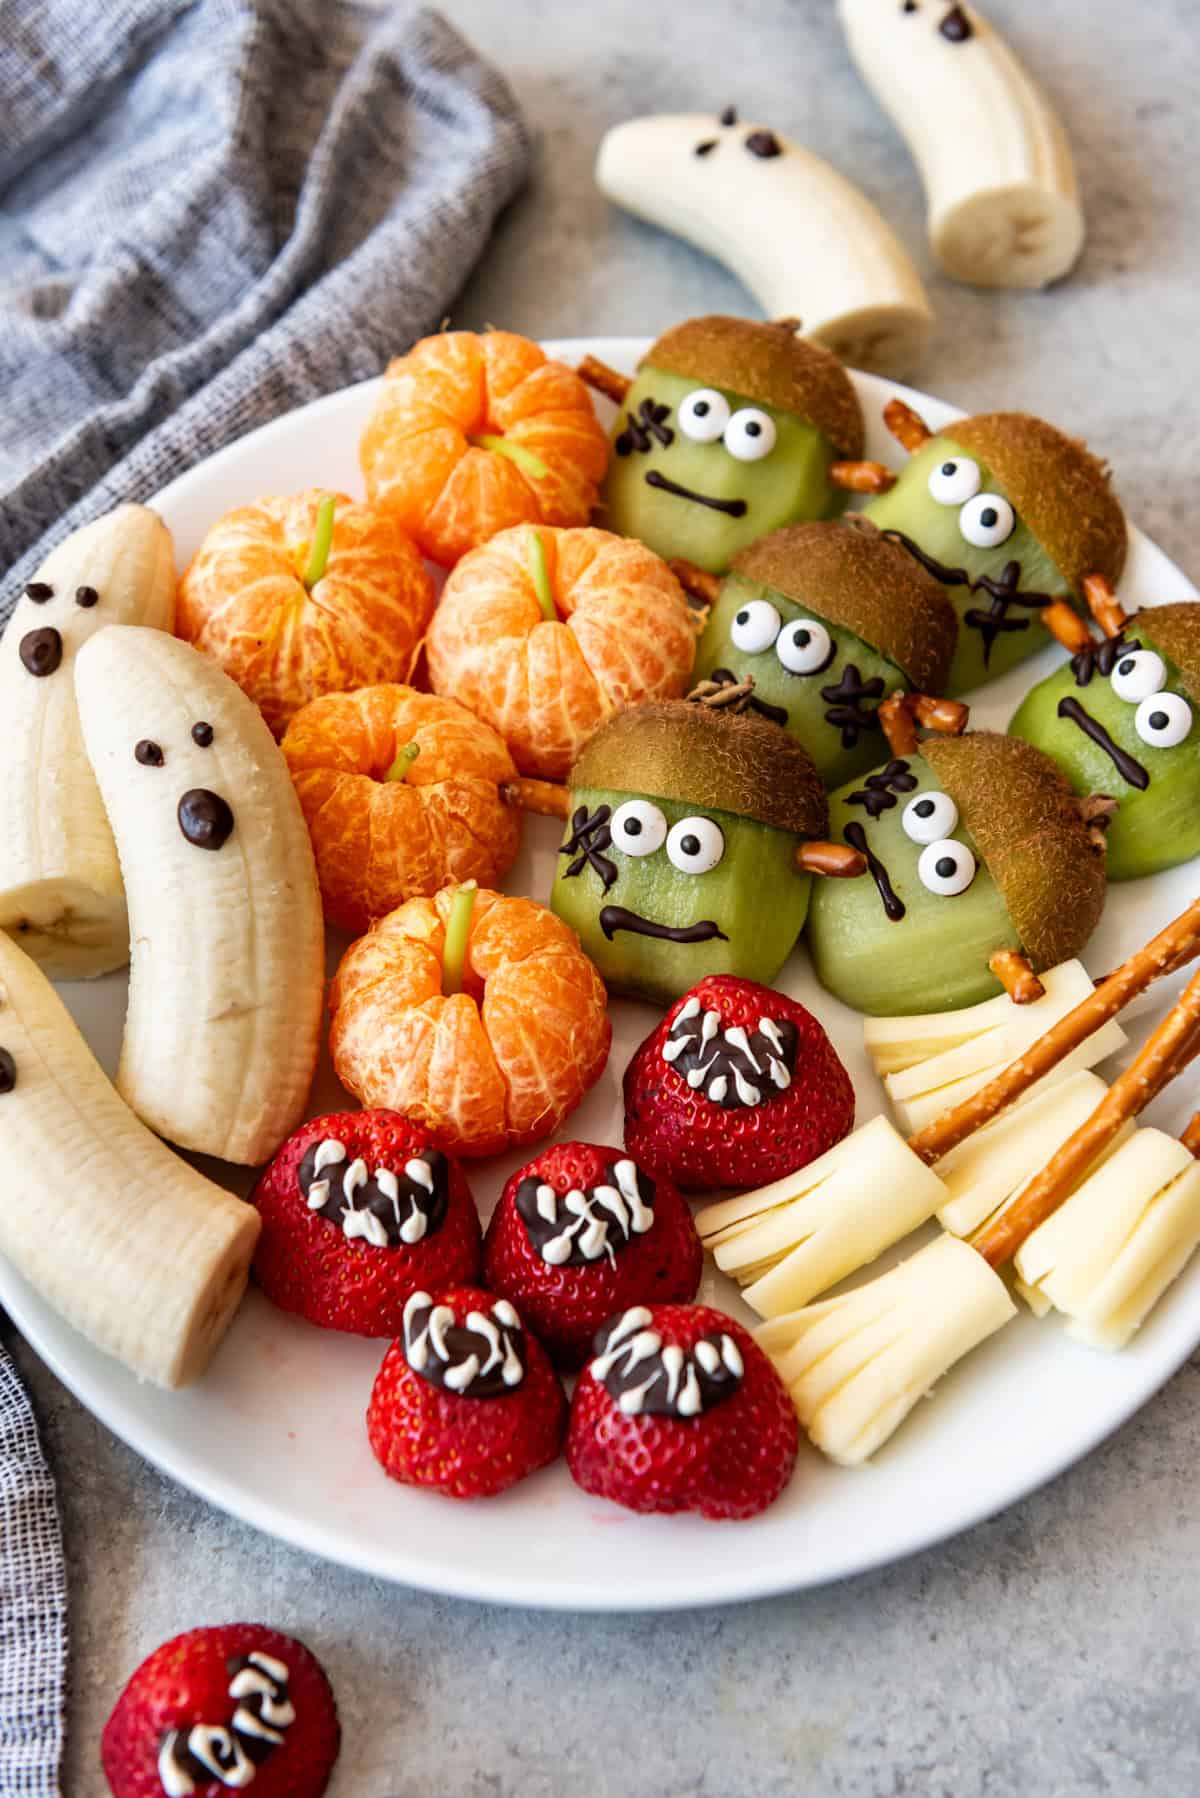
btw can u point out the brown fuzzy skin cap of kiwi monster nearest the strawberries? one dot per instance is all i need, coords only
(712, 760)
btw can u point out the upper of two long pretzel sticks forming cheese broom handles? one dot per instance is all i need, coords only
(1163, 954)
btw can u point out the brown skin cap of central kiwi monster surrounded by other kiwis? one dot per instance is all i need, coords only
(857, 580)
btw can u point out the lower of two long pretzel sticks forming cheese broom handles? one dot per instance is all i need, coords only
(1161, 1058)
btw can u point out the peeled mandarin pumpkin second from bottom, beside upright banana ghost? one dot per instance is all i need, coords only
(402, 797)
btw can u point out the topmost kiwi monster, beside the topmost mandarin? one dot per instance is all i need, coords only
(730, 431)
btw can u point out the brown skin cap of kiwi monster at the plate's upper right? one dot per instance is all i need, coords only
(1059, 488)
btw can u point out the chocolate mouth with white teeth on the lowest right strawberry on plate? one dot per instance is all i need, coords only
(650, 1378)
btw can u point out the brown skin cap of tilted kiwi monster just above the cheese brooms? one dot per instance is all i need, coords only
(1026, 823)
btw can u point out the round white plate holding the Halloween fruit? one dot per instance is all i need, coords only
(274, 1434)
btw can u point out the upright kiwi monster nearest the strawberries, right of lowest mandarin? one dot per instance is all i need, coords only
(690, 848)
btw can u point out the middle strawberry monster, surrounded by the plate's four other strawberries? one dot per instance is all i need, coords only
(580, 1233)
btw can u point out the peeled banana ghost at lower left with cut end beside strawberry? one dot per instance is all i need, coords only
(129, 1243)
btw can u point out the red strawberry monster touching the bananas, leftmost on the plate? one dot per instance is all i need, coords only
(361, 1211)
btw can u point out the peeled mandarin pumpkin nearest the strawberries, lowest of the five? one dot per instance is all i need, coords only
(492, 1067)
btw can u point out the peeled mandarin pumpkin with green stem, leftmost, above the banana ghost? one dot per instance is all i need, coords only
(244, 601)
